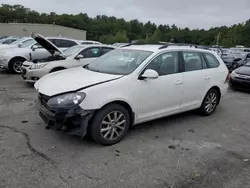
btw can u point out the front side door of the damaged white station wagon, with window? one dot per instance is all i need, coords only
(162, 96)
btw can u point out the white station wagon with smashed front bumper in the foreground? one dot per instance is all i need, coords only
(131, 85)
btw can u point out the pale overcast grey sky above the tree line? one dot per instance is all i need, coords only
(183, 13)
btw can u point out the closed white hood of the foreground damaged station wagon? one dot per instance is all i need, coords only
(71, 80)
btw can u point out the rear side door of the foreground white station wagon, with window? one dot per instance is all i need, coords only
(196, 79)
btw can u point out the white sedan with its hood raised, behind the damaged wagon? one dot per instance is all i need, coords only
(75, 56)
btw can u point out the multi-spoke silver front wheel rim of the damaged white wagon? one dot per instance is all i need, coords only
(113, 125)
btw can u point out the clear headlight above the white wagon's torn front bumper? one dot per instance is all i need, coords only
(69, 100)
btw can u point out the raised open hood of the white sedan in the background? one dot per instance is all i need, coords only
(49, 46)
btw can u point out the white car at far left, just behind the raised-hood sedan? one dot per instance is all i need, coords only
(12, 59)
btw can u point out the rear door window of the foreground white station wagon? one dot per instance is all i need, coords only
(192, 61)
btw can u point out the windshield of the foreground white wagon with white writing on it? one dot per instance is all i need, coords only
(119, 61)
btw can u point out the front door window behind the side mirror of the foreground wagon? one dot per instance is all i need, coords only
(165, 64)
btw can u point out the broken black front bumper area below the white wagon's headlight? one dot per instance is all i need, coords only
(72, 121)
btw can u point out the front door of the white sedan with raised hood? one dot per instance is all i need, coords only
(88, 55)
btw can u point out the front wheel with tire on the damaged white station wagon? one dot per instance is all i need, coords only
(105, 137)
